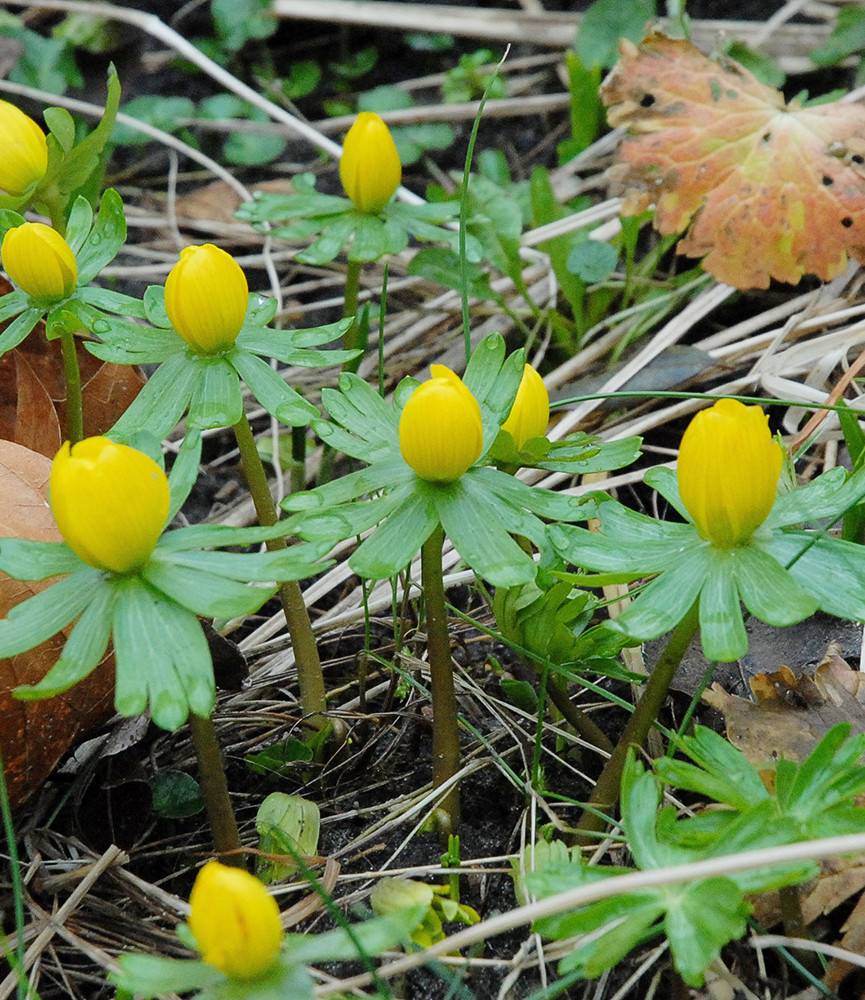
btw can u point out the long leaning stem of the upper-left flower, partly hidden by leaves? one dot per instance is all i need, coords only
(309, 672)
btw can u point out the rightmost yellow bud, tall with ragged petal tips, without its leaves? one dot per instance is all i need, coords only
(728, 471)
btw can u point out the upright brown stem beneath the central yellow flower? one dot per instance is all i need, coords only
(446, 734)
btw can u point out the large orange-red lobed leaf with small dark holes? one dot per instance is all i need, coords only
(765, 189)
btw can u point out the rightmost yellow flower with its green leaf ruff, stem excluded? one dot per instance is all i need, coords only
(741, 544)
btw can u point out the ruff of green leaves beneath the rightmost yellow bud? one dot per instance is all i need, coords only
(782, 574)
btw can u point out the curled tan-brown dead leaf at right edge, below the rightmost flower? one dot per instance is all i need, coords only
(791, 713)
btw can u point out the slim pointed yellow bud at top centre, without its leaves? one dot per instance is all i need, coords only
(370, 169)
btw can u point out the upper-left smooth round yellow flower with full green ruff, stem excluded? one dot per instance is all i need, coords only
(209, 336)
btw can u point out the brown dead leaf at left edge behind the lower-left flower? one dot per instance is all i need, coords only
(35, 735)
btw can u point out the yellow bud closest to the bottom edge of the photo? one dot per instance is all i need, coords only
(235, 921)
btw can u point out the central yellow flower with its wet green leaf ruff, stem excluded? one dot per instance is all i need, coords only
(425, 455)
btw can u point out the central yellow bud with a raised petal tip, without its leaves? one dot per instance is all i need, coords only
(440, 429)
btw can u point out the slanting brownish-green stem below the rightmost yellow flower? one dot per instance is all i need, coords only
(606, 791)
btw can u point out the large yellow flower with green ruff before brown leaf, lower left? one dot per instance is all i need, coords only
(124, 581)
